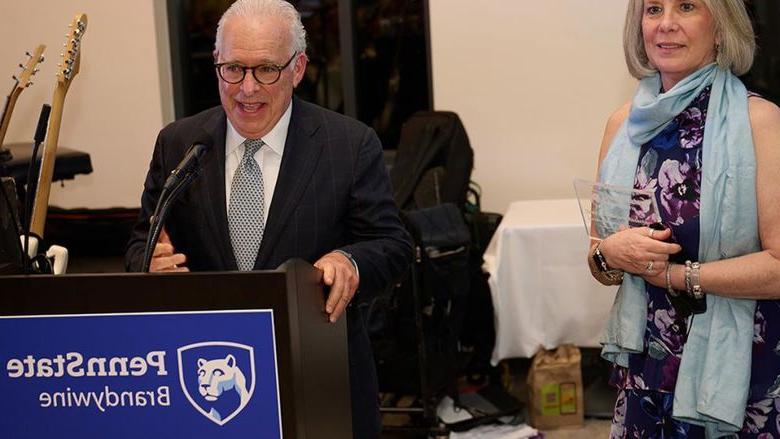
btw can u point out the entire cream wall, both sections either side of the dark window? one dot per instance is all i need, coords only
(533, 81)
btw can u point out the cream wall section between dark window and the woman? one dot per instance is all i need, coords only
(533, 82)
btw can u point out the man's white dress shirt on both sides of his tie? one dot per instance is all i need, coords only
(269, 157)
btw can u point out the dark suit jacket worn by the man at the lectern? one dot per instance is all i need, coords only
(333, 192)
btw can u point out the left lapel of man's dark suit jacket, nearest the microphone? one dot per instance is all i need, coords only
(213, 177)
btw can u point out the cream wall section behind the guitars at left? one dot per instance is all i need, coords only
(113, 109)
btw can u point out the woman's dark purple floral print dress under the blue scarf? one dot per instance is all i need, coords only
(670, 166)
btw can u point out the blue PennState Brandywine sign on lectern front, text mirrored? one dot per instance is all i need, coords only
(195, 375)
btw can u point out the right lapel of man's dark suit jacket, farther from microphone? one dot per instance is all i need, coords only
(301, 154)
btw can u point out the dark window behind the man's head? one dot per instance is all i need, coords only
(369, 59)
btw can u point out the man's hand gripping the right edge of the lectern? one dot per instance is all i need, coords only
(338, 273)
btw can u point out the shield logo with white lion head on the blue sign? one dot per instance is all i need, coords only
(217, 377)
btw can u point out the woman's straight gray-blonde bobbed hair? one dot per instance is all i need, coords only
(733, 30)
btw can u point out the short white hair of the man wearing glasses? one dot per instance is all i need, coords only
(265, 9)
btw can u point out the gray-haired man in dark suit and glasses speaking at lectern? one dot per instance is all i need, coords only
(282, 178)
